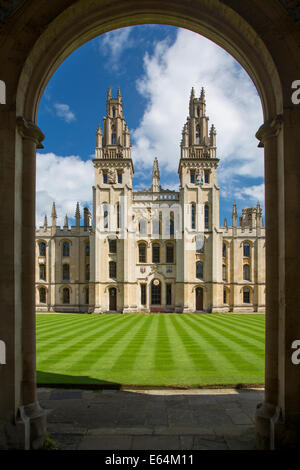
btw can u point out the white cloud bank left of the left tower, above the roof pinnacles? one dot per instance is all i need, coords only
(63, 180)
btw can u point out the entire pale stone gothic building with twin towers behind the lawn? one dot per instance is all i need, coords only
(156, 249)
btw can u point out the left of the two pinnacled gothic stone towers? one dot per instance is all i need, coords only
(112, 202)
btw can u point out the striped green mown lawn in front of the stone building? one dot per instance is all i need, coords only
(139, 349)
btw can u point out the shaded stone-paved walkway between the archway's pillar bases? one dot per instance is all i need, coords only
(151, 419)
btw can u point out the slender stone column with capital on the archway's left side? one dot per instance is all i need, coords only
(30, 411)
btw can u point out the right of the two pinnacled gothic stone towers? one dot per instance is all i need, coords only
(199, 195)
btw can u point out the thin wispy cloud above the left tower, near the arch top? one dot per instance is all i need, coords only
(114, 43)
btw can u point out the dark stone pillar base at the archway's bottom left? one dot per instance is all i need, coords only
(28, 432)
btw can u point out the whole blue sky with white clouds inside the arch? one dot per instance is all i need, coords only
(155, 67)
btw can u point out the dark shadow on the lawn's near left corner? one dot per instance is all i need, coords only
(49, 379)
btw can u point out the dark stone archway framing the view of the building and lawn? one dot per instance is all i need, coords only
(263, 38)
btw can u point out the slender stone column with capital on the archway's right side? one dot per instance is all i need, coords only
(268, 136)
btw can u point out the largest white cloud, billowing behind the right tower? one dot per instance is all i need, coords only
(232, 103)
